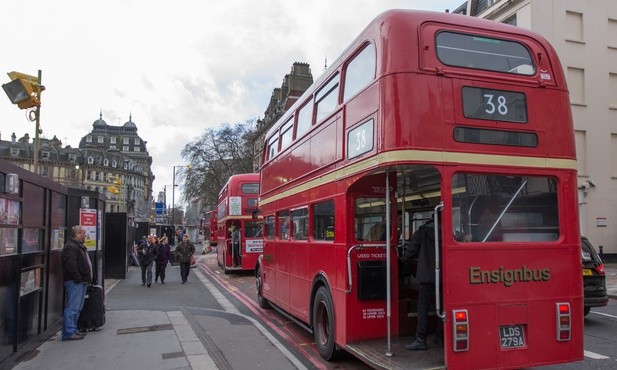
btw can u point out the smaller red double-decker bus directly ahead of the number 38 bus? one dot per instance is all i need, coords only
(237, 207)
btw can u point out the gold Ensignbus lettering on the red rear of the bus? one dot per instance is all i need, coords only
(508, 277)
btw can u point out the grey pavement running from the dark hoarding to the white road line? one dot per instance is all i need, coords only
(182, 327)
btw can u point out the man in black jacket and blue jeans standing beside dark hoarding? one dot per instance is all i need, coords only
(77, 272)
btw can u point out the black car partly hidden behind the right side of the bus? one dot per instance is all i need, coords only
(594, 277)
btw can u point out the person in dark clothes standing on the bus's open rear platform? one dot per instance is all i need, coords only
(422, 246)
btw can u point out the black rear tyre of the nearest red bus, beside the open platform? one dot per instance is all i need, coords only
(323, 325)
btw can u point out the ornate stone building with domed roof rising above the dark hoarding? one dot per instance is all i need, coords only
(104, 155)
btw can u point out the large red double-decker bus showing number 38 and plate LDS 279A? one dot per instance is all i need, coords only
(429, 116)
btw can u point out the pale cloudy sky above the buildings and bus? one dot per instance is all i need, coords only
(178, 67)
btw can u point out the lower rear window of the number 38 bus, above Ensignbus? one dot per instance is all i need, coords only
(488, 208)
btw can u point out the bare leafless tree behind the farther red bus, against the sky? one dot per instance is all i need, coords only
(213, 157)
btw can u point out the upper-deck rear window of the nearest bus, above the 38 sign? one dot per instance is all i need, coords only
(486, 53)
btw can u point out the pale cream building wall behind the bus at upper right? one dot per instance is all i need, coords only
(584, 33)
